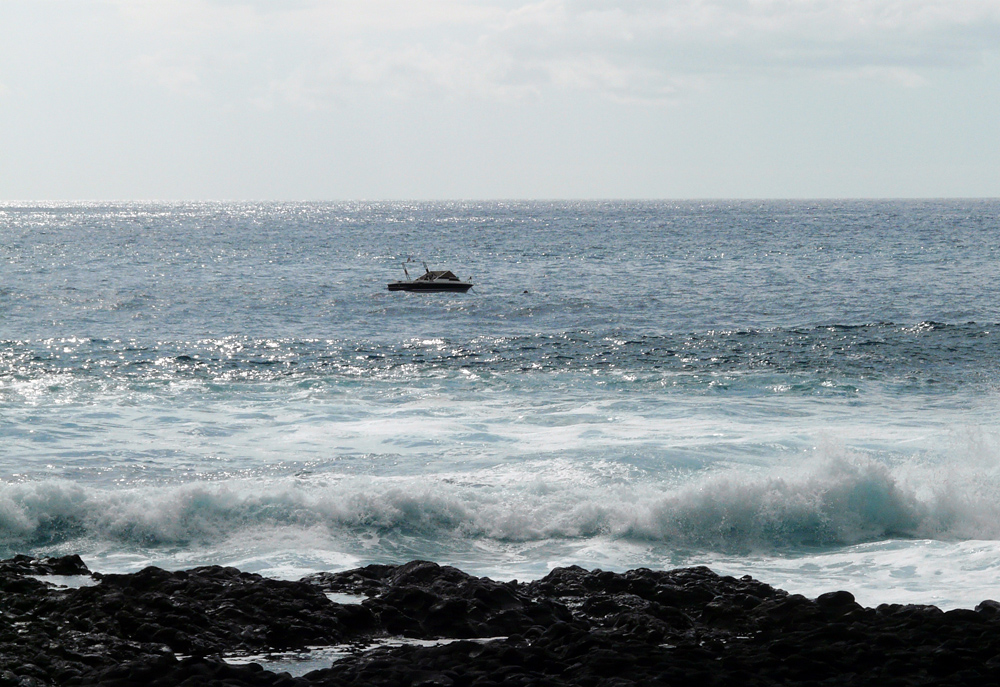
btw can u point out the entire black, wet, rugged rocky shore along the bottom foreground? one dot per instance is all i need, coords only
(573, 627)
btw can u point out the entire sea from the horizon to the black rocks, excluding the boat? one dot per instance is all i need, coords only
(805, 392)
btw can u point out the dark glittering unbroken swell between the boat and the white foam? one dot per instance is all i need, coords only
(928, 351)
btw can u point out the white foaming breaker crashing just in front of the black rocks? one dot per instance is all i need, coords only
(842, 501)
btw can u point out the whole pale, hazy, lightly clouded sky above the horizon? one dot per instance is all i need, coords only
(497, 99)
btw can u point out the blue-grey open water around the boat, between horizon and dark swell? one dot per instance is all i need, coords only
(153, 271)
